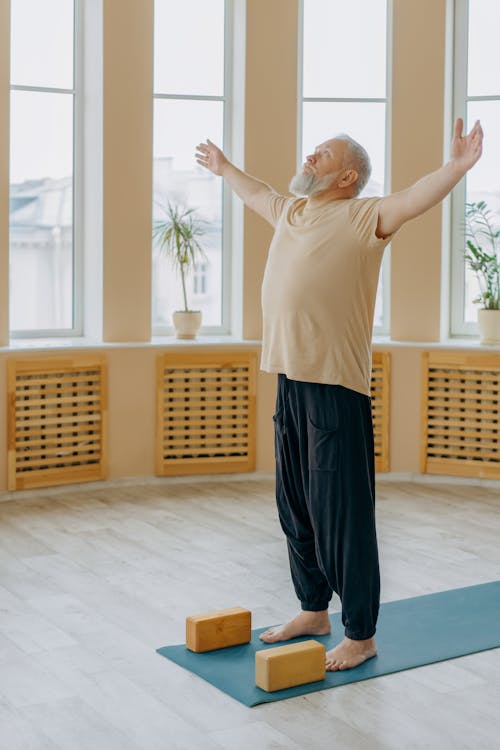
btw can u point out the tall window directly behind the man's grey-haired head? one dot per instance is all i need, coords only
(344, 89)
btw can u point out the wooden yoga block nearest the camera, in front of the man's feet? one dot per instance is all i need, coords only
(286, 666)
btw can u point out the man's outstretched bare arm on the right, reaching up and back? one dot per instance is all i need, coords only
(399, 207)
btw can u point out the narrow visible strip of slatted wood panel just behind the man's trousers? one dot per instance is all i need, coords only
(380, 384)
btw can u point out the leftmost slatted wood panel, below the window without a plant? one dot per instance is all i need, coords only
(56, 421)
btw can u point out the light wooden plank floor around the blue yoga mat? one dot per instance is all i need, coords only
(92, 581)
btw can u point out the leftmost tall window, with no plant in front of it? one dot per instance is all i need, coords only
(42, 263)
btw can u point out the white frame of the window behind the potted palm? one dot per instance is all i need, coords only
(227, 203)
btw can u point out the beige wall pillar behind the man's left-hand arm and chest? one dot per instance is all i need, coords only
(270, 129)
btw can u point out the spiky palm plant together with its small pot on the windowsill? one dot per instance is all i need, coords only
(176, 236)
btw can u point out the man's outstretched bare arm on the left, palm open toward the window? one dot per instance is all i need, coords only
(252, 191)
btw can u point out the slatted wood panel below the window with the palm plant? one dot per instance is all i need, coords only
(206, 413)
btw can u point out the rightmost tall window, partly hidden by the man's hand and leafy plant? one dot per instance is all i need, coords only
(476, 97)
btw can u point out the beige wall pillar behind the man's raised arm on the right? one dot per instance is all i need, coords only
(417, 148)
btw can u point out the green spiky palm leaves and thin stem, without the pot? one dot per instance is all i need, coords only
(177, 237)
